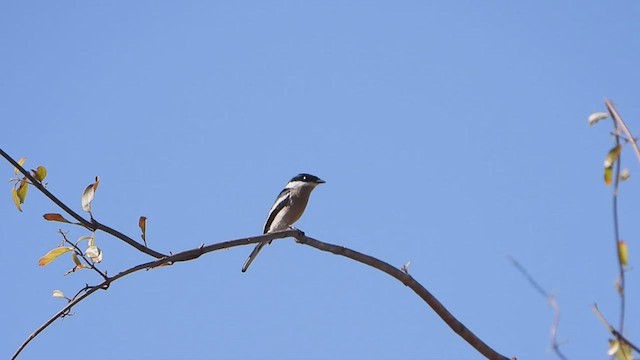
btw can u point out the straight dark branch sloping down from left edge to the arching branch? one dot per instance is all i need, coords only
(93, 225)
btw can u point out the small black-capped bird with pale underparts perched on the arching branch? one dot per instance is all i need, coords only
(287, 209)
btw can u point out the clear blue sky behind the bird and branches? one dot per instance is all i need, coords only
(450, 134)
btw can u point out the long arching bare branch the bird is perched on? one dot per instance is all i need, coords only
(192, 254)
